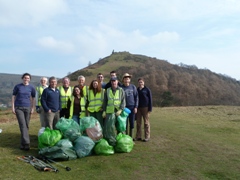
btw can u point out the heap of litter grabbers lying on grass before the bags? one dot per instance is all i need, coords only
(38, 164)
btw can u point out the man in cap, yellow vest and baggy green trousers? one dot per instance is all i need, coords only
(113, 105)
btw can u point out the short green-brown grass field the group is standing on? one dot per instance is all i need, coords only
(186, 143)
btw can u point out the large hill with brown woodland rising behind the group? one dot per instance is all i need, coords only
(179, 85)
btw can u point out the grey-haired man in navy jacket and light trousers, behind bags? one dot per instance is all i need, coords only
(51, 103)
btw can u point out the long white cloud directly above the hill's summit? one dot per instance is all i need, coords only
(104, 38)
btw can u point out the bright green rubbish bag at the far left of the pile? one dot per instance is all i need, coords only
(49, 138)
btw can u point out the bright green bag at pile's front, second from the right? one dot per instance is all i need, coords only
(103, 148)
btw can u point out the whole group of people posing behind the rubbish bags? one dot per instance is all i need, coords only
(103, 101)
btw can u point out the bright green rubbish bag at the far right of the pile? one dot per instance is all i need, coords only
(124, 143)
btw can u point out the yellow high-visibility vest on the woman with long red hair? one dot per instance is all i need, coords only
(95, 102)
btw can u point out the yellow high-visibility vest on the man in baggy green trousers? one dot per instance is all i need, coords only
(114, 101)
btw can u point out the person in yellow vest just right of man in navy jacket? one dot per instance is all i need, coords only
(65, 93)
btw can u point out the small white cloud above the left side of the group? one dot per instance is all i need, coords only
(53, 44)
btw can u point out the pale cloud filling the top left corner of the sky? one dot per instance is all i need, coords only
(29, 12)
